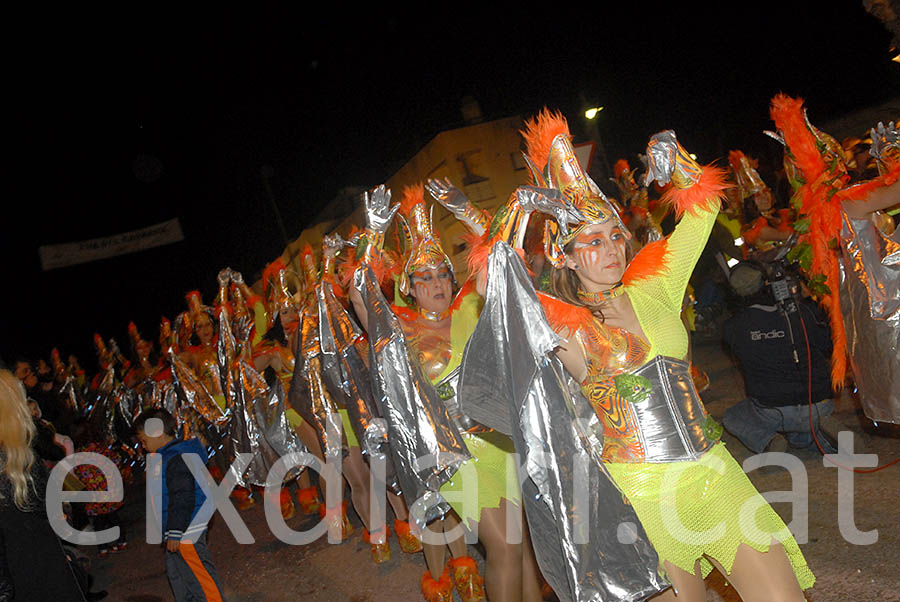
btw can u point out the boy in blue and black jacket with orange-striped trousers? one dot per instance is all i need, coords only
(188, 565)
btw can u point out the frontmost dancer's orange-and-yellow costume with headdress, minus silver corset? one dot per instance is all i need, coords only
(677, 502)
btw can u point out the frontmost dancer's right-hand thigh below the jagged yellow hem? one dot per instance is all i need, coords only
(761, 576)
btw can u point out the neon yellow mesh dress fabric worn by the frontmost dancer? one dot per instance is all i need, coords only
(708, 492)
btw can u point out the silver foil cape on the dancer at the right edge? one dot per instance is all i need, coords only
(870, 303)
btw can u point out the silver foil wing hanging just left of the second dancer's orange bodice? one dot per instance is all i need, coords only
(426, 445)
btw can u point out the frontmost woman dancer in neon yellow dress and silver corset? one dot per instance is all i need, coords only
(623, 340)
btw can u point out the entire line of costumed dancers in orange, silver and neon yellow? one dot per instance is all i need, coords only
(521, 383)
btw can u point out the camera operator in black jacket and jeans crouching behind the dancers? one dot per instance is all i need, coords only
(767, 338)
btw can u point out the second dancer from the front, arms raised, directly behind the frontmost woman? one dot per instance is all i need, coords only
(436, 326)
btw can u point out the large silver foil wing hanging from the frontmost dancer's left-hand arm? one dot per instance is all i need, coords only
(589, 543)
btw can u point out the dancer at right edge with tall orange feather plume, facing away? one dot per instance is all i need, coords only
(852, 266)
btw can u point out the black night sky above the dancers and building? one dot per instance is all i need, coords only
(329, 102)
